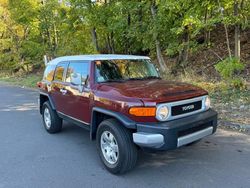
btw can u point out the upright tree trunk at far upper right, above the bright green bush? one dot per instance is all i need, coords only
(236, 32)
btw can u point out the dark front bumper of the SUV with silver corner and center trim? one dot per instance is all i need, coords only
(175, 133)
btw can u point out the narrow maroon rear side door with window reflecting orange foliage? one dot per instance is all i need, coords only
(58, 91)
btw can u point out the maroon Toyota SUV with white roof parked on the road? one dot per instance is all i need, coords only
(124, 103)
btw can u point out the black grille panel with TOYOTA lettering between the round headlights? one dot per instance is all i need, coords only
(186, 108)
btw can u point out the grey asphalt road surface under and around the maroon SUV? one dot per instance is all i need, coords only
(30, 157)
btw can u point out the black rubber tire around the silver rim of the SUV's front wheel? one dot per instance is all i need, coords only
(127, 157)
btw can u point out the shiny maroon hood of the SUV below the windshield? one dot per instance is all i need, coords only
(157, 91)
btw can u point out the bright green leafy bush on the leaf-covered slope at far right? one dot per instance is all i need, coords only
(228, 67)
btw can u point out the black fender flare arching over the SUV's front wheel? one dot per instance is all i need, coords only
(125, 121)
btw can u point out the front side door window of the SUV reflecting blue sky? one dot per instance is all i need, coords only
(78, 73)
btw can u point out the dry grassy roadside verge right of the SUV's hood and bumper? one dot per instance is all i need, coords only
(232, 103)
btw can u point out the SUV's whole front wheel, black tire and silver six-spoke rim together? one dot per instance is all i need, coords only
(115, 146)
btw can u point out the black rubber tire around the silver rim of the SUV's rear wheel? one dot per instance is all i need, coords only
(56, 121)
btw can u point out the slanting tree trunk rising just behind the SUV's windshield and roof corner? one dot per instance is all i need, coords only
(157, 42)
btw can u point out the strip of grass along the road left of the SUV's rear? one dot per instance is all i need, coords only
(29, 80)
